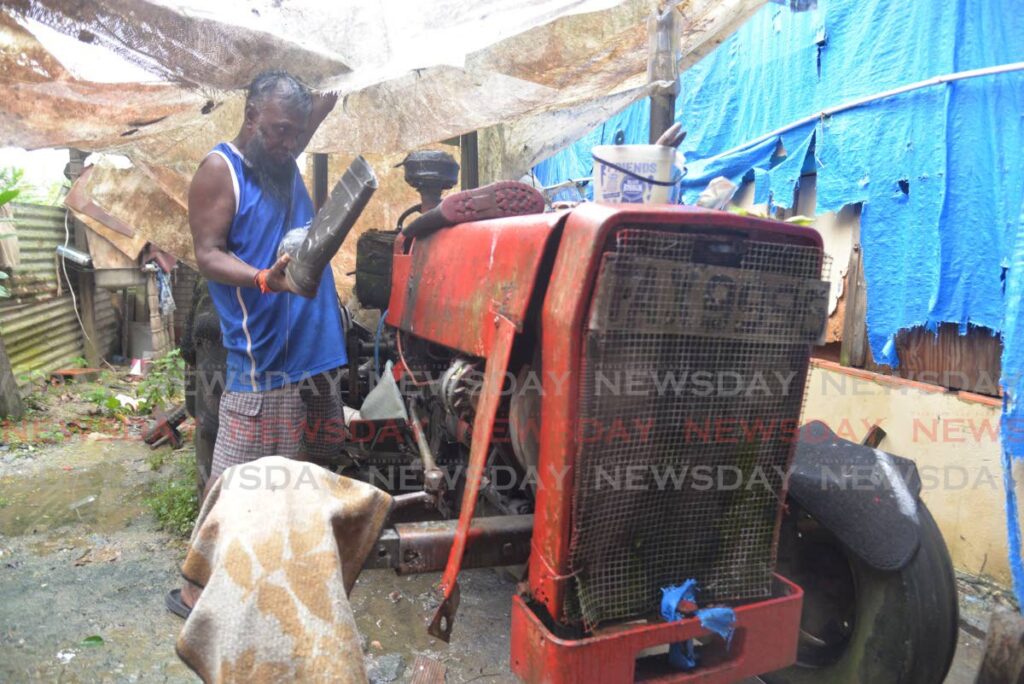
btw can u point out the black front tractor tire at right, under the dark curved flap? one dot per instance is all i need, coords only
(862, 625)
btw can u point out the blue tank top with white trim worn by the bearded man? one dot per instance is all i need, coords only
(275, 339)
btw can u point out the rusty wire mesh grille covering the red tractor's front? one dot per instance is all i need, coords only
(695, 366)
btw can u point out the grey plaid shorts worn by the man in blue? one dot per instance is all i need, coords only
(303, 421)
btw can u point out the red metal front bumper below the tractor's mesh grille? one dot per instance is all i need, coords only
(765, 640)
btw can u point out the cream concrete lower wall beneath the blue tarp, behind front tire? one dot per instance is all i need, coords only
(953, 437)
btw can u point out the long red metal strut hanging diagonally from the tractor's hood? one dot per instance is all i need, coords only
(484, 425)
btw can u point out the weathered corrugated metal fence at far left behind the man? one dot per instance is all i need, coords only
(39, 327)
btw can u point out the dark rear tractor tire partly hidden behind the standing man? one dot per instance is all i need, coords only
(206, 378)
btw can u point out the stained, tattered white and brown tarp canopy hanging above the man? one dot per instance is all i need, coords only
(162, 82)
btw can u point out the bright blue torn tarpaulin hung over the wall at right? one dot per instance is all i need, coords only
(937, 169)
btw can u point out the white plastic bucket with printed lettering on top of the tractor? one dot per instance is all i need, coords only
(637, 174)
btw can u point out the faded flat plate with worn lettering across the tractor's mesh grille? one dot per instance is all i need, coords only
(645, 294)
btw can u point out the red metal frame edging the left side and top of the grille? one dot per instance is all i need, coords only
(587, 231)
